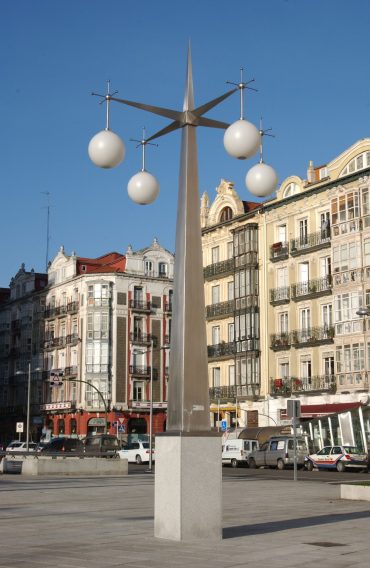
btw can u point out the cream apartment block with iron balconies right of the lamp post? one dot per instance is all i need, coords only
(313, 279)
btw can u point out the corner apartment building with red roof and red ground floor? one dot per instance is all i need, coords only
(107, 333)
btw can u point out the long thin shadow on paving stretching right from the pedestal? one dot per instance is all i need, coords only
(275, 526)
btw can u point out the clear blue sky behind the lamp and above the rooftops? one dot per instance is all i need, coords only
(309, 59)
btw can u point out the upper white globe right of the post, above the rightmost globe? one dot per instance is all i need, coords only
(242, 139)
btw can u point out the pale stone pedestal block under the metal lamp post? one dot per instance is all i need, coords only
(188, 497)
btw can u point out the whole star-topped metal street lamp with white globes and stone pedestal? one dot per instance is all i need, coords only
(179, 460)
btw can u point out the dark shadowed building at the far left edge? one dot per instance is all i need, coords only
(21, 330)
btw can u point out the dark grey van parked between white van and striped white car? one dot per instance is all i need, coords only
(278, 452)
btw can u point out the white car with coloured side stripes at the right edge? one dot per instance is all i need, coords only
(337, 457)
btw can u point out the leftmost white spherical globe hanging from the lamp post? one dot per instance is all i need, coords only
(106, 149)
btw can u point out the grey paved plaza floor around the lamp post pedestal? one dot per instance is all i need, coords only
(107, 522)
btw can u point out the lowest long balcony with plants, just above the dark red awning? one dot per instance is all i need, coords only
(288, 385)
